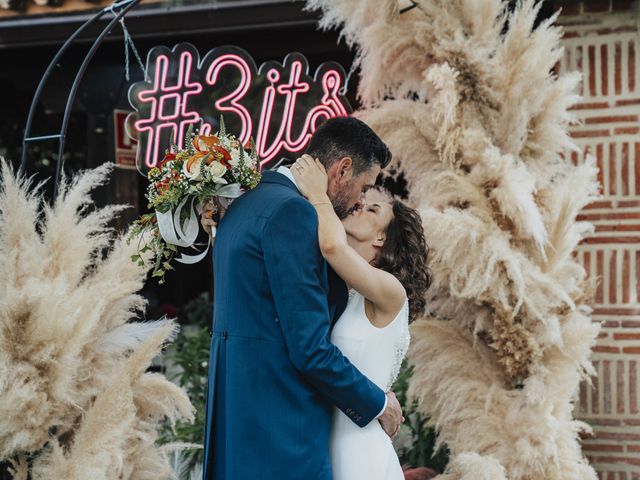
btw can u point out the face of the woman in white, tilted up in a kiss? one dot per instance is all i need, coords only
(365, 228)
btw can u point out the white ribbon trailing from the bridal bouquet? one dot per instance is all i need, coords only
(184, 234)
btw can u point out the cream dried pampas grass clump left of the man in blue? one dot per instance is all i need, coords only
(74, 395)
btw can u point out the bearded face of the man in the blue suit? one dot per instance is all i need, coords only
(346, 191)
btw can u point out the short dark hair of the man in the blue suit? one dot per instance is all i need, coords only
(348, 137)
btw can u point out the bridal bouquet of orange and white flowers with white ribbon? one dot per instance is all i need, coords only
(209, 166)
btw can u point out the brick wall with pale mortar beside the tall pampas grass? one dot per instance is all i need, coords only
(602, 40)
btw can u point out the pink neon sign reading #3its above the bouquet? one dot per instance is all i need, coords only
(278, 105)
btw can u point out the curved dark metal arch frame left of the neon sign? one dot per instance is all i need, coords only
(119, 8)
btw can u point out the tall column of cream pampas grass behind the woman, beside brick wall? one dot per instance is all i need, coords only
(464, 94)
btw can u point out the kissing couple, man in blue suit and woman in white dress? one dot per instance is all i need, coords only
(313, 294)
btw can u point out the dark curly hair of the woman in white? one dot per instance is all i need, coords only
(404, 255)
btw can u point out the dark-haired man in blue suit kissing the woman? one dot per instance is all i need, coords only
(274, 376)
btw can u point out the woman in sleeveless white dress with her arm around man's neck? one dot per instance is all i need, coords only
(381, 253)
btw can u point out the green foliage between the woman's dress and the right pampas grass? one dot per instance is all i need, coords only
(416, 442)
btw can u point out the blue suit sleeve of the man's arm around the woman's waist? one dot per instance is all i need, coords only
(294, 268)
